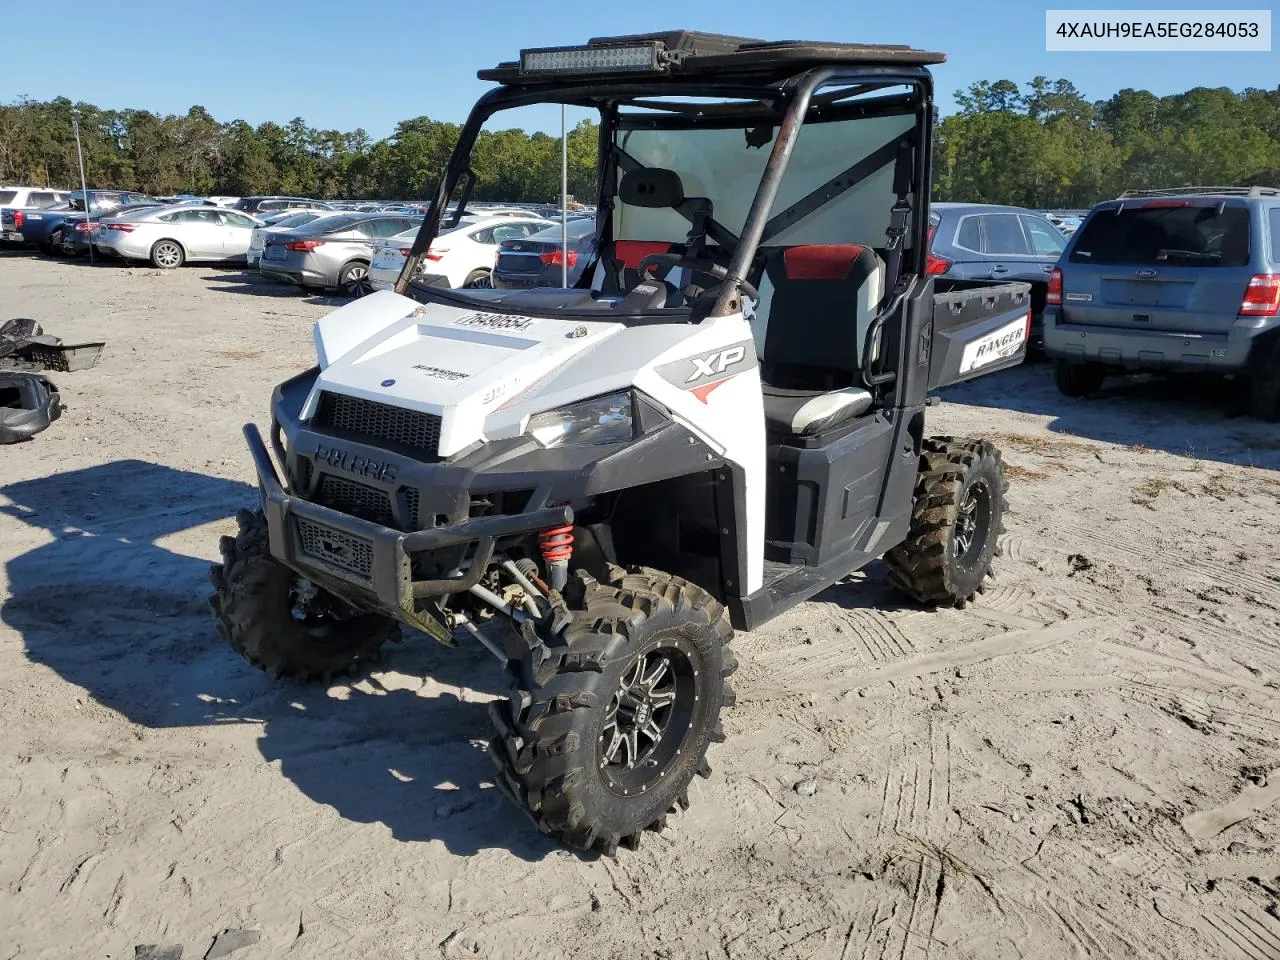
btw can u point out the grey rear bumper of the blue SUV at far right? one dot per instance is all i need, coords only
(1150, 350)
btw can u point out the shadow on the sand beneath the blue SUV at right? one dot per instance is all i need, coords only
(1187, 417)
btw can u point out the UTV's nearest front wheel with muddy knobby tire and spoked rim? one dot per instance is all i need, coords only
(610, 721)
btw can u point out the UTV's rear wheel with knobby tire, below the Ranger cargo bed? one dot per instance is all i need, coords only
(957, 523)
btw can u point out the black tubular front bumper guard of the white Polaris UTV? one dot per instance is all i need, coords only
(376, 563)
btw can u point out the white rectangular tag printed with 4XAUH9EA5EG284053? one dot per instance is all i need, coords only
(1158, 30)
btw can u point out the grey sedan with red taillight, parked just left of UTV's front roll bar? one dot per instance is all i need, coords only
(333, 252)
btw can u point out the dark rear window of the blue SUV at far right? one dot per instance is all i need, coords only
(1167, 234)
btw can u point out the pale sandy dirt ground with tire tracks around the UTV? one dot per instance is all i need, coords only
(1087, 765)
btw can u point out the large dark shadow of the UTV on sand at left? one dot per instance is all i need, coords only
(115, 606)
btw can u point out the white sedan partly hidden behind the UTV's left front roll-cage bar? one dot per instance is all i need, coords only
(459, 258)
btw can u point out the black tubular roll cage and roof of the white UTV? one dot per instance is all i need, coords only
(779, 81)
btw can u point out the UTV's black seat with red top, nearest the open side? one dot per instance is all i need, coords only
(811, 326)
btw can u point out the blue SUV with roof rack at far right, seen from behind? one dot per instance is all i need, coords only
(1180, 280)
